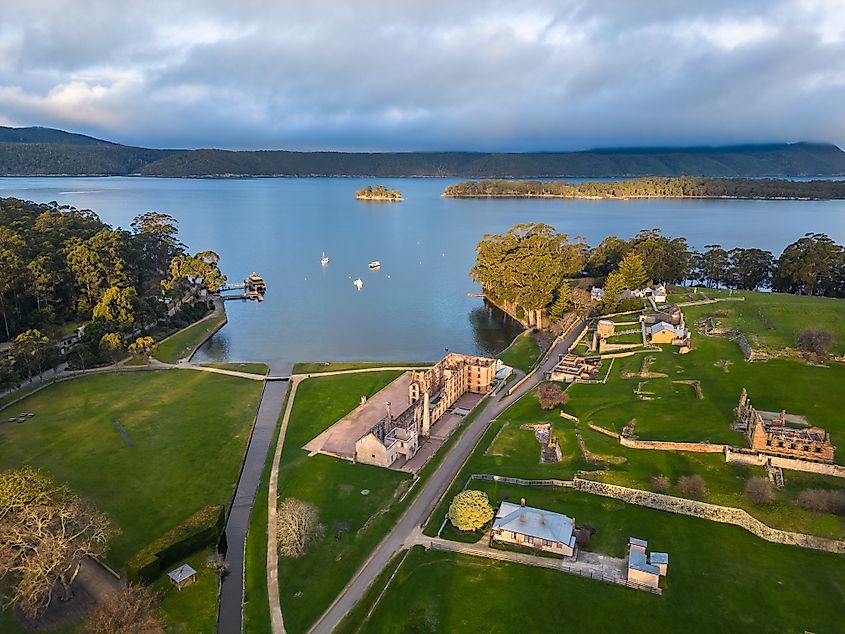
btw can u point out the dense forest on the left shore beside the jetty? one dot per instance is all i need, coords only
(62, 268)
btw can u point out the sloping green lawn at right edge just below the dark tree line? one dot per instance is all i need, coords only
(773, 320)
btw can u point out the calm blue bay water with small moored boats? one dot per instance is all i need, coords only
(416, 305)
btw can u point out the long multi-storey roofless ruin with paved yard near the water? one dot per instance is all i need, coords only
(388, 429)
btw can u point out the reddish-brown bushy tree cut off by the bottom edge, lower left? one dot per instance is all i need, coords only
(132, 609)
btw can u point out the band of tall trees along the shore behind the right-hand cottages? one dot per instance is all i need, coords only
(529, 269)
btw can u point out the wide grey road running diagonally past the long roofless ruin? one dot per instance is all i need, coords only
(430, 494)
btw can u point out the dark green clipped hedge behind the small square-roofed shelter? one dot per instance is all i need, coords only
(202, 529)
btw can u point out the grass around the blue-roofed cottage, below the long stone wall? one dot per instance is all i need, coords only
(712, 570)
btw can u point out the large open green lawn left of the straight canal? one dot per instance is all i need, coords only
(189, 429)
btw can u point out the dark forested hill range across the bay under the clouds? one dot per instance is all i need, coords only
(44, 151)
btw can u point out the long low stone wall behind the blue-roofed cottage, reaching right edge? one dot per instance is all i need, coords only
(712, 512)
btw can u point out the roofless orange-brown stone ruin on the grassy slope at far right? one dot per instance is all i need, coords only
(768, 433)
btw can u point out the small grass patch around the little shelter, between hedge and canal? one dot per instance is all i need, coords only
(192, 610)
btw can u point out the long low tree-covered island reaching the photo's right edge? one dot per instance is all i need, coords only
(680, 187)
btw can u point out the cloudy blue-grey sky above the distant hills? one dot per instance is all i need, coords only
(529, 75)
